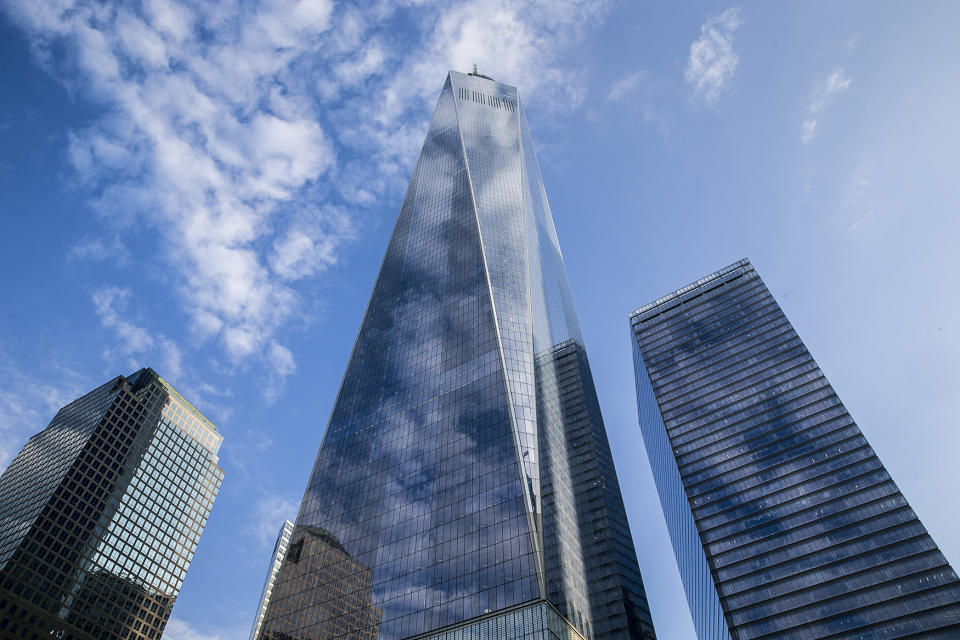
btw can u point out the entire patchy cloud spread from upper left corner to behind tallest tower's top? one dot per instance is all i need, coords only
(245, 135)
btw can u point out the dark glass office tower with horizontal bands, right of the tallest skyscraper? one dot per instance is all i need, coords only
(784, 522)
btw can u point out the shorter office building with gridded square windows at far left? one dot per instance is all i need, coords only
(101, 512)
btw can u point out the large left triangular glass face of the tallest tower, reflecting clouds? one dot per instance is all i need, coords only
(416, 500)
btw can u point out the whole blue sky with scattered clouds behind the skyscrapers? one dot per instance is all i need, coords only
(208, 190)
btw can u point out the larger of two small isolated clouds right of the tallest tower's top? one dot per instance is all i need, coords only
(713, 62)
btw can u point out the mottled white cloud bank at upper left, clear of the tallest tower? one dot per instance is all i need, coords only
(189, 144)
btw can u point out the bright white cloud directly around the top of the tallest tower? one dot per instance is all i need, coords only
(522, 43)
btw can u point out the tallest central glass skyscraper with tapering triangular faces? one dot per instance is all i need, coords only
(464, 485)
